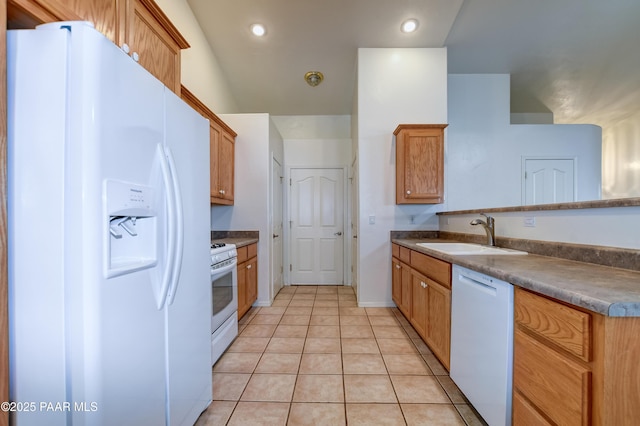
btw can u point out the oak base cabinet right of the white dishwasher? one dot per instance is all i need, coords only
(572, 366)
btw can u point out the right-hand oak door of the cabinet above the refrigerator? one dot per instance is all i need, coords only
(150, 34)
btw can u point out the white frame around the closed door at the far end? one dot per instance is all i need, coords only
(287, 217)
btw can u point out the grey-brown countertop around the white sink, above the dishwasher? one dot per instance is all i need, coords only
(602, 289)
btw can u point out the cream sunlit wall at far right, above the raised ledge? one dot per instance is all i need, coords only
(621, 159)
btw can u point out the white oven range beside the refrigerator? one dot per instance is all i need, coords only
(224, 294)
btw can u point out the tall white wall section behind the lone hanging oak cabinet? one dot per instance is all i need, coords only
(395, 86)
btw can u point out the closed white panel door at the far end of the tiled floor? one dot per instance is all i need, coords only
(317, 219)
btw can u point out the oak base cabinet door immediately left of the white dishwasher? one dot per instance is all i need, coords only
(439, 321)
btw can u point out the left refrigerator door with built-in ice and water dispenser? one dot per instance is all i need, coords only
(116, 329)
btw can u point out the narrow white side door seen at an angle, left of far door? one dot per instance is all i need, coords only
(276, 226)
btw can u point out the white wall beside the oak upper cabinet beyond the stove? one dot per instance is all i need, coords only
(255, 144)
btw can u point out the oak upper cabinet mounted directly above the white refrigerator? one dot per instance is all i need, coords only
(139, 24)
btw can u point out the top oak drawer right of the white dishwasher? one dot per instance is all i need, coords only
(561, 324)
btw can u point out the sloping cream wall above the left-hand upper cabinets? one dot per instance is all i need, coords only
(200, 70)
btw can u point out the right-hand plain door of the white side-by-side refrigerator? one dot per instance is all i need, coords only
(189, 301)
